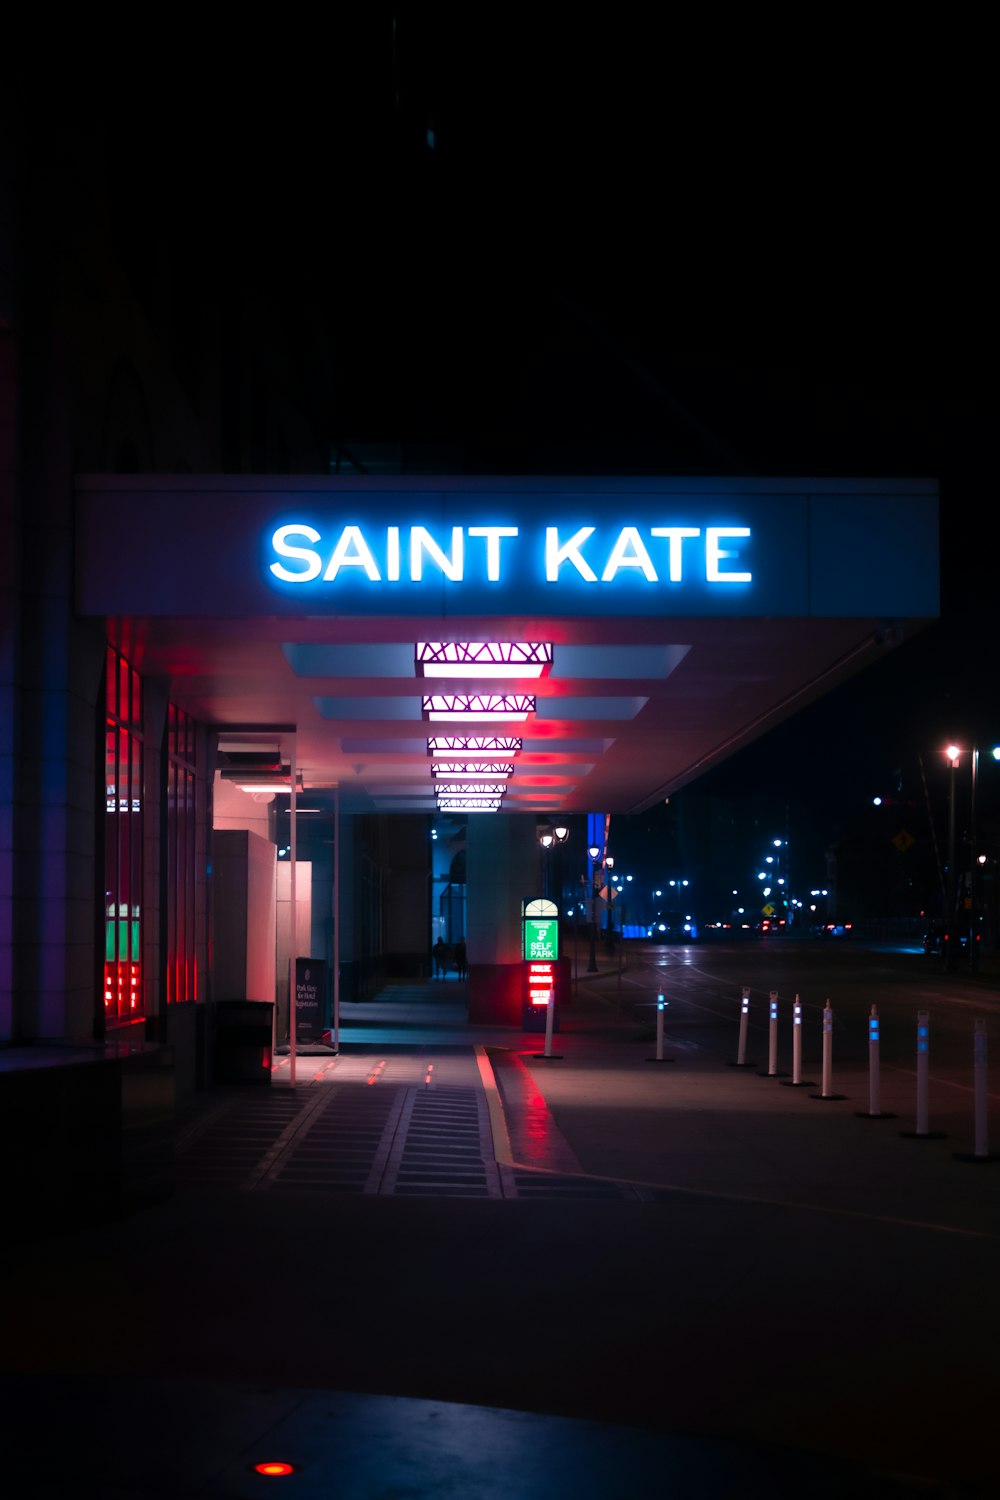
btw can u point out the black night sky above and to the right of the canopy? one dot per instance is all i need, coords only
(666, 247)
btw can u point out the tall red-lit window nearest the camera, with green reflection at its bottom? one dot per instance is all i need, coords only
(124, 989)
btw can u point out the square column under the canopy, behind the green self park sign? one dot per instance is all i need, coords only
(501, 874)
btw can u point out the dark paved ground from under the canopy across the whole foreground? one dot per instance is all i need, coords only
(681, 1279)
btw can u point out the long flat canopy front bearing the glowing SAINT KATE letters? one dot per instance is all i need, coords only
(525, 548)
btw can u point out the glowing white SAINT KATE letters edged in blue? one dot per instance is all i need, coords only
(671, 554)
